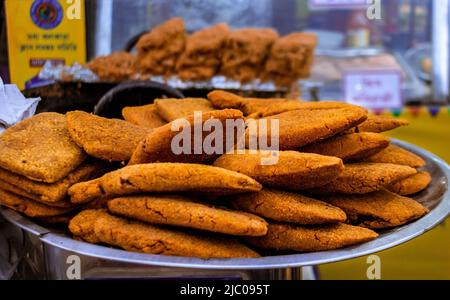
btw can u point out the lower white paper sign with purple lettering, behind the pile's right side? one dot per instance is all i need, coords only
(373, 89)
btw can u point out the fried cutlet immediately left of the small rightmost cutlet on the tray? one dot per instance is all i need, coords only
(364, 178)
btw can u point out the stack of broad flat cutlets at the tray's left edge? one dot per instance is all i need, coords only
(39, 162)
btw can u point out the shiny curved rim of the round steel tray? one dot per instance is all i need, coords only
(384, 242)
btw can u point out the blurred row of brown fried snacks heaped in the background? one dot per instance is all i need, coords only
(243, 55)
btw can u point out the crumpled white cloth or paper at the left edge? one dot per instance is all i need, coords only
(14, 107)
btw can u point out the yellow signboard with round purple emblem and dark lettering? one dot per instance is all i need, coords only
(42, 30)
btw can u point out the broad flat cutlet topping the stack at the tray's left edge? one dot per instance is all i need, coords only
(40, 148)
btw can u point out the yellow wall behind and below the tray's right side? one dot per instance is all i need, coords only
(427, 257)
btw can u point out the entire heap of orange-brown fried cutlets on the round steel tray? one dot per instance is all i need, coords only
(337, 180)
